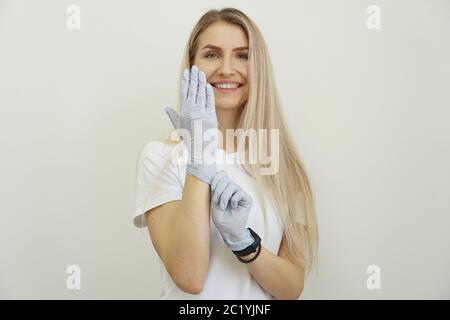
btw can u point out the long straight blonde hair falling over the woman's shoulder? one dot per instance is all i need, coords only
(289, 189)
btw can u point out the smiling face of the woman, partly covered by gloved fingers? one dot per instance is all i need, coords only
(222, 55)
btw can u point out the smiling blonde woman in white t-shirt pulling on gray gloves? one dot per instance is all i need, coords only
(227, 229)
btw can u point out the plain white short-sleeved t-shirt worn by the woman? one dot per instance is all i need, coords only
(227, 278)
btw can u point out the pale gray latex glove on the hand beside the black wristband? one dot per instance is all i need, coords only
(230, 207)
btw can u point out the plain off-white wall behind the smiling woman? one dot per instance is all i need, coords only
(368, 110)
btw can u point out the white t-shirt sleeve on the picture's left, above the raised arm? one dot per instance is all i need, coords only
(158, 180)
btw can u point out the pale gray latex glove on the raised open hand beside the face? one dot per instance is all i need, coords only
(198, 116)
